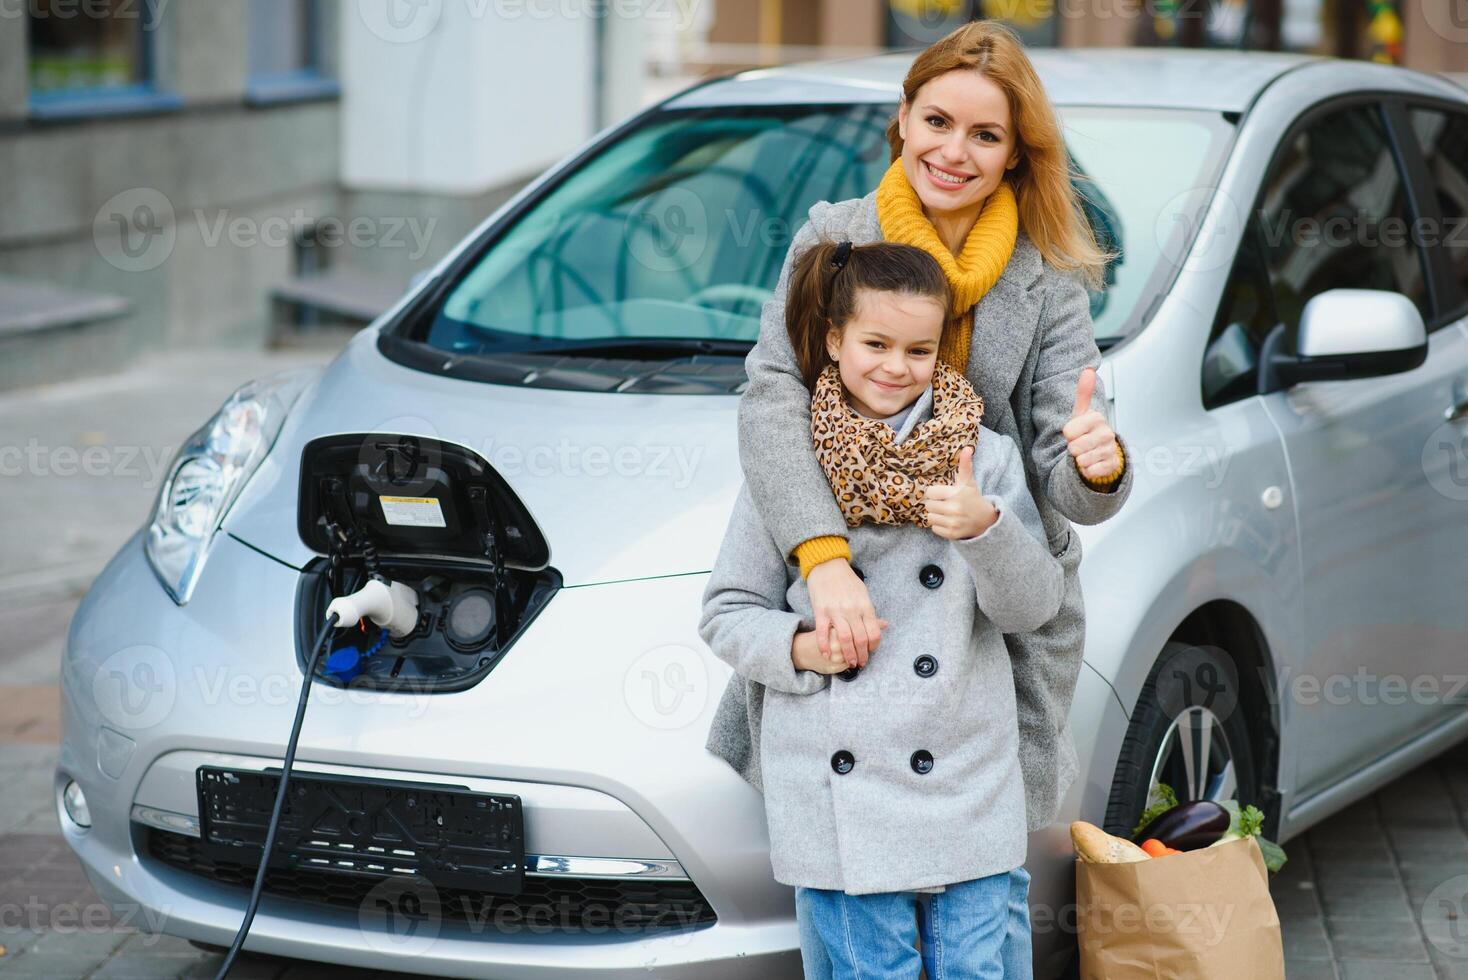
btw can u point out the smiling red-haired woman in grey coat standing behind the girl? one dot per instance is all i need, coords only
(980, 180)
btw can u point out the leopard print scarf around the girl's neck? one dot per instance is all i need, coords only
(876, 479)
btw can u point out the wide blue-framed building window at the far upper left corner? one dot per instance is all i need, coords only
(90, 56)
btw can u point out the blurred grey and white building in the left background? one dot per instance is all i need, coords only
(211, 172)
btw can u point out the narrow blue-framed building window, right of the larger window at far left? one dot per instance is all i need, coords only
(287, 54)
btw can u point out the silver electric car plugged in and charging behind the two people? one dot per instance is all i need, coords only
(539, 441)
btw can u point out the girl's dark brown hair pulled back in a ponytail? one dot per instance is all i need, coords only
(823, 291)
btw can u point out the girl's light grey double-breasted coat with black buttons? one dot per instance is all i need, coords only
(906, 775)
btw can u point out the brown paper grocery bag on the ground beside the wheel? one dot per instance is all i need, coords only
(1202, 915)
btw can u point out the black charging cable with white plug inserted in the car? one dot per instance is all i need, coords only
(390, 605)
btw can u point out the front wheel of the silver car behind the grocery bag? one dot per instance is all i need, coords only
(1187, 733)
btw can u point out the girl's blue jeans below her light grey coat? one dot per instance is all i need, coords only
(974, 929)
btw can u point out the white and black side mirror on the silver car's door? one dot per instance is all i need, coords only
(1345, 335)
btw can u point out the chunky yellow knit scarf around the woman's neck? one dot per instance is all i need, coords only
(973, 272)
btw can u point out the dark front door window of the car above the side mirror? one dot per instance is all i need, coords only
(1335, 215)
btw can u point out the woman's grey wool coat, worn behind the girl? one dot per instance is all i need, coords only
(1033, 335)
